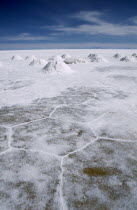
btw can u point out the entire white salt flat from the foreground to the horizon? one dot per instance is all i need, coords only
(68, 140)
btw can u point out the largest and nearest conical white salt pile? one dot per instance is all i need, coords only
(56, 65)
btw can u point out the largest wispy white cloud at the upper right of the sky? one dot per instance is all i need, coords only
(95, 24)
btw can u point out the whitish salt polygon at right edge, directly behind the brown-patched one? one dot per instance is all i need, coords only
(120, 125)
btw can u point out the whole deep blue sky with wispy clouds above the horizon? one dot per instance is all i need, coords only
(42, 24)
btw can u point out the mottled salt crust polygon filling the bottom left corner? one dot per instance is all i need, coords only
(29, 181)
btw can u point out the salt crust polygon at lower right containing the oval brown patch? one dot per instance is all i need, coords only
(104, 176)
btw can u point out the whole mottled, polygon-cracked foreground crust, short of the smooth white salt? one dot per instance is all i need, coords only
(54, 160)
